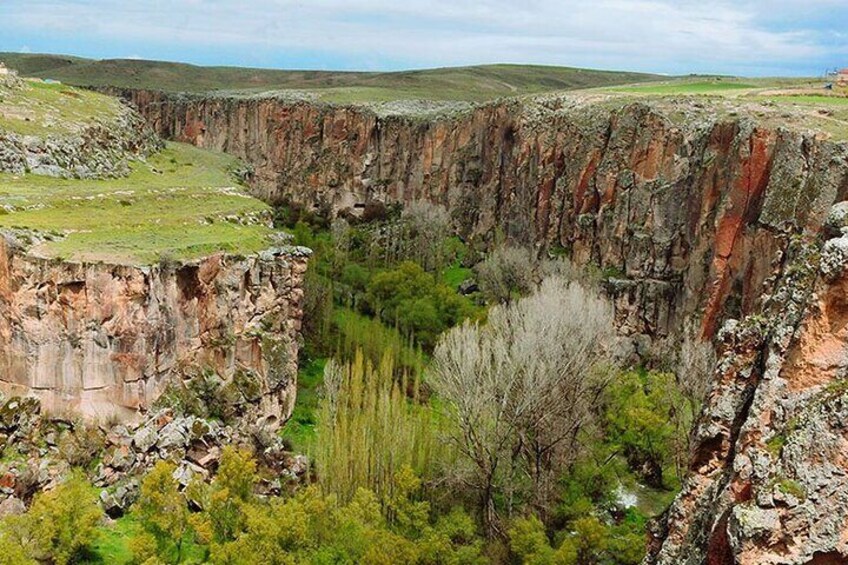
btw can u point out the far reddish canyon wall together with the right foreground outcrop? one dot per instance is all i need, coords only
(705, 220)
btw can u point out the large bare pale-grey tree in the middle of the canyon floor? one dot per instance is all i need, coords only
(521, 388)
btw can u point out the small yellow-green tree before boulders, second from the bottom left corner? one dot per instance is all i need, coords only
(163, 511)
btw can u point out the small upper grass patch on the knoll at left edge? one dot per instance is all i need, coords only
(40, 109)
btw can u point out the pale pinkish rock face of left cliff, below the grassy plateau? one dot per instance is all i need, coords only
(106, 339)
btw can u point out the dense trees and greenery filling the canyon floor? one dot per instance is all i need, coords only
(496, 424)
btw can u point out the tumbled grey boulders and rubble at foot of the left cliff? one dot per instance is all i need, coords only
(37, 451)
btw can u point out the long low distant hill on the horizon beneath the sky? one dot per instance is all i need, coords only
(476, 83)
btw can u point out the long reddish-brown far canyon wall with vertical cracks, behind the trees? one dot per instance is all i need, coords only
(690, 217)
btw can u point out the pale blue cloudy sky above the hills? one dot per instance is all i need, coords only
(738, 37)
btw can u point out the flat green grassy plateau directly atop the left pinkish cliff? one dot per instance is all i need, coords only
(181, 204)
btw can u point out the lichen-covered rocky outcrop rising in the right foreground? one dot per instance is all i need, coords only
(768, 482)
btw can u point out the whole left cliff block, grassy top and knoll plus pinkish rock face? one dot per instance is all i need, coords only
(106, 301)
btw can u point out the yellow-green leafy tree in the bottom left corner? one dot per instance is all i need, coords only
(59, 526)
